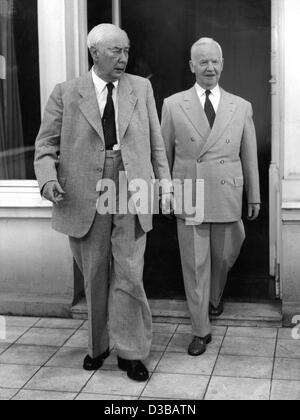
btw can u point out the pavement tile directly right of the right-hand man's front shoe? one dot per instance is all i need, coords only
(248, 346)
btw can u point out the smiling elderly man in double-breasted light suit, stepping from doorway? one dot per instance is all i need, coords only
(209, 134)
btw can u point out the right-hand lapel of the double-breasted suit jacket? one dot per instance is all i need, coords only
(224, 115)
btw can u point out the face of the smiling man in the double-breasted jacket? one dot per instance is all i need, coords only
(207, 65)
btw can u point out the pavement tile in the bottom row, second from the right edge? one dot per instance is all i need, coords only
(222, 388)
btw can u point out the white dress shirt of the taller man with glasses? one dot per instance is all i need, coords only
(101, 93)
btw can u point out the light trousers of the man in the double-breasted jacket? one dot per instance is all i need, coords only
(208, 252)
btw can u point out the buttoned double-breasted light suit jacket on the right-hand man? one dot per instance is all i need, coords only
(225, 156)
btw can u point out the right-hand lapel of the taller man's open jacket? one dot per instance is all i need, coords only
(127, 101)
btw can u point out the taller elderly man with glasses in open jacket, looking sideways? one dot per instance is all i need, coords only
(95, 127)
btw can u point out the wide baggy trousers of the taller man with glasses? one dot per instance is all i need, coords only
(111, 259)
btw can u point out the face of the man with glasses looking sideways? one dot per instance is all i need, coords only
(111, 57)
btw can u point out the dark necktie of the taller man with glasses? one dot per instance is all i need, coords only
(109, 120)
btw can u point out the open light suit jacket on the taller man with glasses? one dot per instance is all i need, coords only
(70, 147)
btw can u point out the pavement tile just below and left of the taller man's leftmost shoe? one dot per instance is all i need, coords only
(58, 379)
